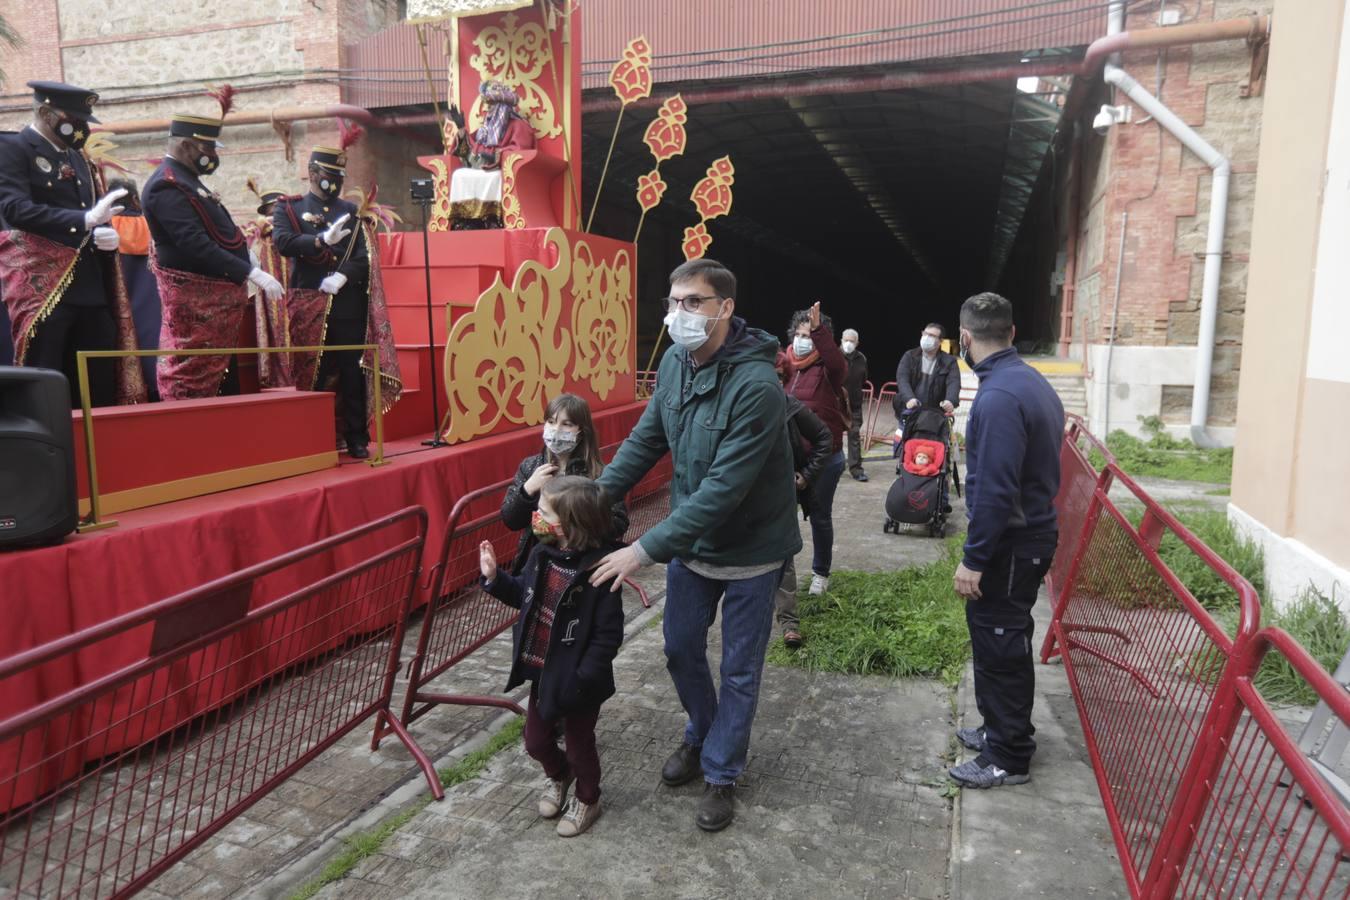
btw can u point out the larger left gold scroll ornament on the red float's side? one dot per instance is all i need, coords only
(508, 357)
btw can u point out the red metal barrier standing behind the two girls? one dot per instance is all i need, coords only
(464, 617)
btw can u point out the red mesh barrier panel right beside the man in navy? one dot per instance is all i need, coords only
(1148, 667)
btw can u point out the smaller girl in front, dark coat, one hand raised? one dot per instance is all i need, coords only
(565, 642)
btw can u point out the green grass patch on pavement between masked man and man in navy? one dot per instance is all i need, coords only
(901, 624)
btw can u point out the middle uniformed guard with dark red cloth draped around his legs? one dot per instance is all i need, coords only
(200, 260)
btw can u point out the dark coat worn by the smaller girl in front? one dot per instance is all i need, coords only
(585, 639)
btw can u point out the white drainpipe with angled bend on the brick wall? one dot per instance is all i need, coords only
(1118, 78)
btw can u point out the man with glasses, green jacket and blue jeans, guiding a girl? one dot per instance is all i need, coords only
(719, 410)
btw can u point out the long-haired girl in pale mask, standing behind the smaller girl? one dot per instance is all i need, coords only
(570, 449)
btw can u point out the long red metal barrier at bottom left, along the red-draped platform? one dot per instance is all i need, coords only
(242, 682)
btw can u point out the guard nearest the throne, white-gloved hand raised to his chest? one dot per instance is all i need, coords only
(322, 234)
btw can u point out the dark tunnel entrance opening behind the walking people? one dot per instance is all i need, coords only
(890, 207)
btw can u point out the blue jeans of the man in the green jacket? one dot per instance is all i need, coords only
(720, 725)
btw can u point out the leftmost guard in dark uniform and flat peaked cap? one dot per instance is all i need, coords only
(48, 190)
